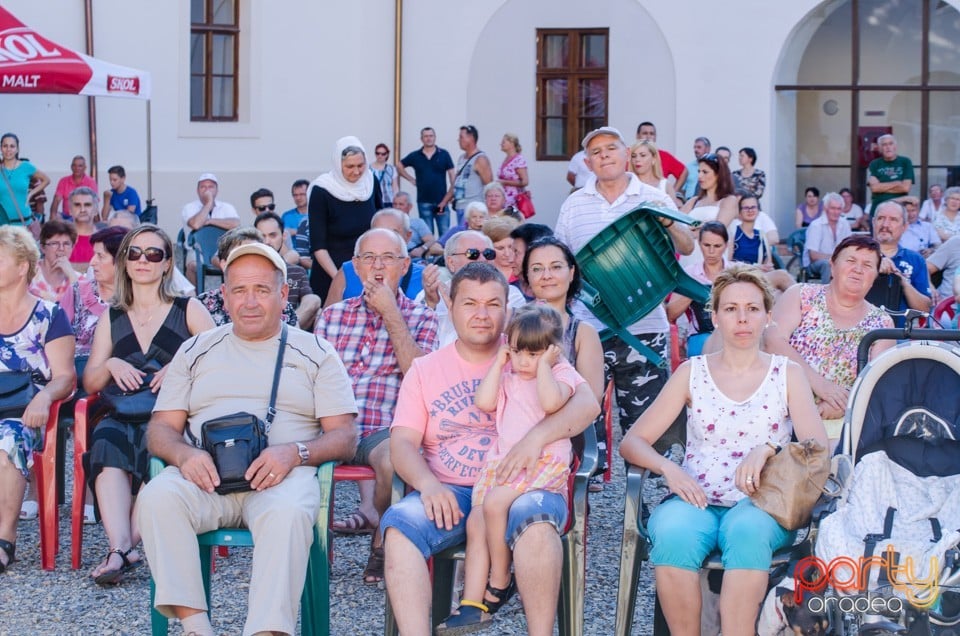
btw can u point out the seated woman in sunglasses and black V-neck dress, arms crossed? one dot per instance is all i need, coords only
(131, 349)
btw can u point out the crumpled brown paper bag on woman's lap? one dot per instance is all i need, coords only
(791, 483)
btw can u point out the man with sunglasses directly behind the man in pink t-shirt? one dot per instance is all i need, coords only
(461, 248)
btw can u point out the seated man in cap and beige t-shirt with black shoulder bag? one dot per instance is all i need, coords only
(314, 423)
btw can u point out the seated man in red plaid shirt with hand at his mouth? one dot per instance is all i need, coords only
(377, 334)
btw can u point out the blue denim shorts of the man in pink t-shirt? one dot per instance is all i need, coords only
(409, 517)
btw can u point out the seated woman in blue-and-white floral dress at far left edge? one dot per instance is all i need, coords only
(38, 345)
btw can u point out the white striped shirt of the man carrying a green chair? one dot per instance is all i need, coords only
(586, 212)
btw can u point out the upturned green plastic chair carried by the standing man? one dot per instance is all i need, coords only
(629, 268)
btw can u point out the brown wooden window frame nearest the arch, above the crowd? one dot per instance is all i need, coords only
(574, 74)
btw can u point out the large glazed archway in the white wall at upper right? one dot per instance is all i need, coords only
(863, 67)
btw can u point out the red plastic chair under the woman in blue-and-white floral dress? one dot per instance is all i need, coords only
(45, 466)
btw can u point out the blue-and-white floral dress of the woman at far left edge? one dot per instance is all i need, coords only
(24, 351)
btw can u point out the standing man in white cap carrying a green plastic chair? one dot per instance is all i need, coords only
(608, 194)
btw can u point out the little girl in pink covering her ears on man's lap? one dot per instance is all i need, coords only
(529, 380)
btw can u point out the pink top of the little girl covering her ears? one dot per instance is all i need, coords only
(519, 410)
